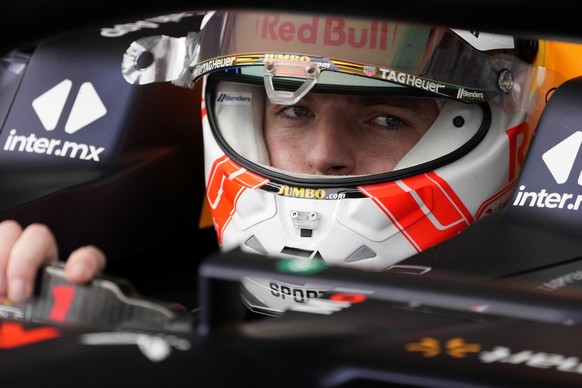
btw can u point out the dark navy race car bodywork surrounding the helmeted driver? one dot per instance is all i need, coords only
(501, 308)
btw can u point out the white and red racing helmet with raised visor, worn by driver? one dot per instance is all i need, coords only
(462, 167)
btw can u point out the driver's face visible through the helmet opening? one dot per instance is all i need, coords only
(333, 134)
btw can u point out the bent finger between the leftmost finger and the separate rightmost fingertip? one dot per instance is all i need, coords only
(35, 247)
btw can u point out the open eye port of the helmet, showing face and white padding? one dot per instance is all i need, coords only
(358, 131)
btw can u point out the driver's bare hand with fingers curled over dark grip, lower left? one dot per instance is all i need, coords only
(24, 250)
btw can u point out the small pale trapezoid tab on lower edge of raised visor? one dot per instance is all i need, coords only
(293, 69)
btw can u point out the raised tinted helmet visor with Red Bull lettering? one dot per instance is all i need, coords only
(307, 48)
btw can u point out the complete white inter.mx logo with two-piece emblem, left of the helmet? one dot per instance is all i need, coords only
(87, 108)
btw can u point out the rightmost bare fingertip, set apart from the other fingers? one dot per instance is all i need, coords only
(84, 264)
